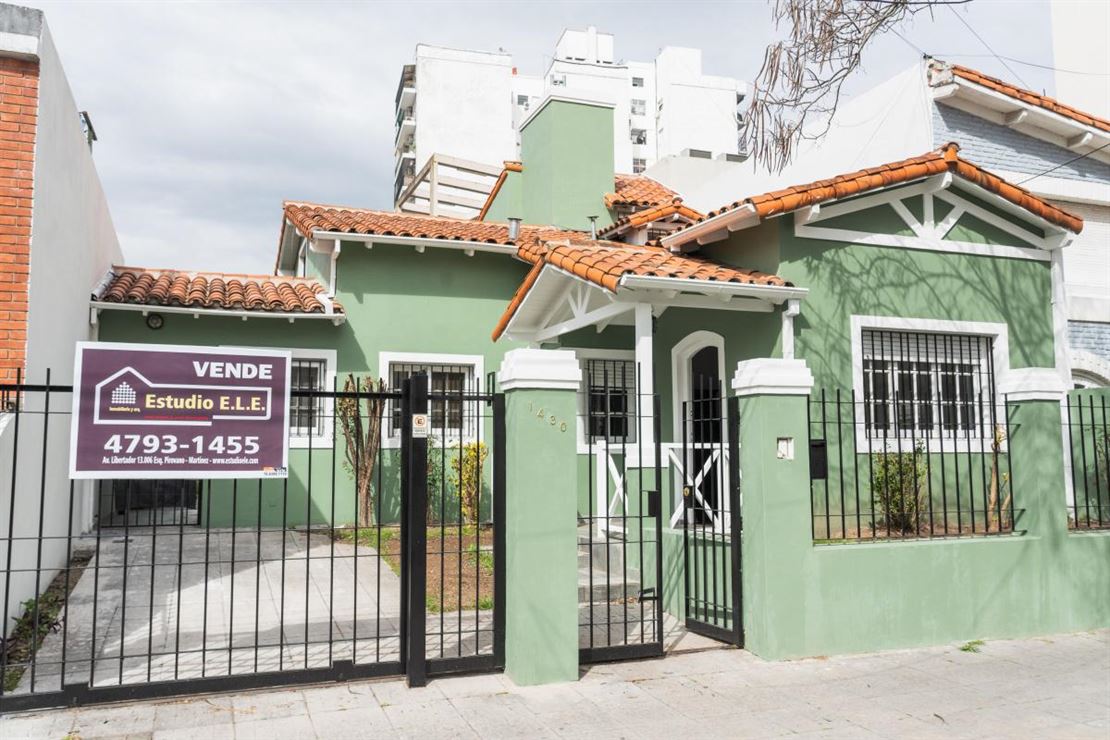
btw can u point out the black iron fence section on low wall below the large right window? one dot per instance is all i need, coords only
(927, 469)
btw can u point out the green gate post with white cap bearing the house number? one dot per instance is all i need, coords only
(541, 515)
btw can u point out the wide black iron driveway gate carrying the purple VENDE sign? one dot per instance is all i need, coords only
(159, 589)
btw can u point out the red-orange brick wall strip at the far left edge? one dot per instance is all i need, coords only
(19, 103)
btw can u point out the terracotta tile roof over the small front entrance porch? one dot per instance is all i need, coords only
(606, 263)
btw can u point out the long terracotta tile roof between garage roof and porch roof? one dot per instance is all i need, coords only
(312, 218)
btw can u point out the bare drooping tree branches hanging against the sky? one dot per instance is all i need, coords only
(799, 87)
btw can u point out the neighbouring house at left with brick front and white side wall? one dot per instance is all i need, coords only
(58, 242)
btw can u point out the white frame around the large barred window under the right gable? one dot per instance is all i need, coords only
(1001, 352)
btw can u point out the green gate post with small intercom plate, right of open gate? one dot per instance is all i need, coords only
(775, 468)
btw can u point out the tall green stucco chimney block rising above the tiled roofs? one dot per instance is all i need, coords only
(568, 155)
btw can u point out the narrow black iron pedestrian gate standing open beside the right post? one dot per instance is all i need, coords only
(712, 521)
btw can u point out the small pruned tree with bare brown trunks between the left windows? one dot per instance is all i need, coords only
(360, 414)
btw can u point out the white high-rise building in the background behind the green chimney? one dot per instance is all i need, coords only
(458, 114)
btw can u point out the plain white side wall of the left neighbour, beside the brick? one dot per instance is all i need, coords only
(73, 246)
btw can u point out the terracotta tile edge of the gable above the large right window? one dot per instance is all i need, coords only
(943, 160)
